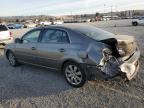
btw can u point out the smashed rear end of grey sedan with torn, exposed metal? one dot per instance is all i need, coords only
(120, 57)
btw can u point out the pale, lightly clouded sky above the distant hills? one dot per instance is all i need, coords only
(65, 7)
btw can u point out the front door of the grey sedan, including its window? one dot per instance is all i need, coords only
(26, 51)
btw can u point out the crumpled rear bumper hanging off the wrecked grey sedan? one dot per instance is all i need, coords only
(128, 69)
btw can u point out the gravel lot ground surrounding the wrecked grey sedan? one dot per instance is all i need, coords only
(33, 87)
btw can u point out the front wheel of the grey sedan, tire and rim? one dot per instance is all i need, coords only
(12, 60)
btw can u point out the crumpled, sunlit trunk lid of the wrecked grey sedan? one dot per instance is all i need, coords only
(125, 42)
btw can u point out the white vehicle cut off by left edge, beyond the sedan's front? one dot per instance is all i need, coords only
(5, 35)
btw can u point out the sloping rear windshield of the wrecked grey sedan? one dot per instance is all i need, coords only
(94, 32)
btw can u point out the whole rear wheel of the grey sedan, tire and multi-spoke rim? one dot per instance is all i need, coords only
(74, 74)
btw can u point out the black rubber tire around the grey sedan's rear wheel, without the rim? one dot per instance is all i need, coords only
(82, 71)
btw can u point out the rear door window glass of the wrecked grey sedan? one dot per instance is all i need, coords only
(55, 36)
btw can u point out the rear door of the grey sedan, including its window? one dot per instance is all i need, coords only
(53, 47)
